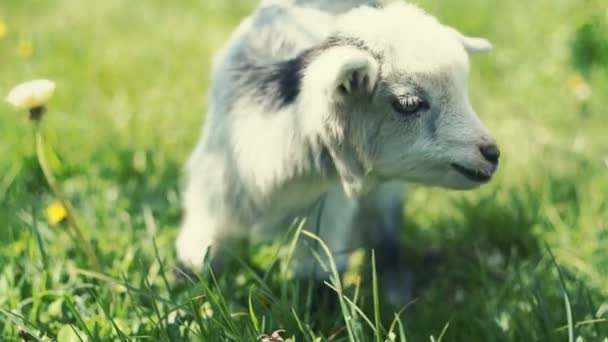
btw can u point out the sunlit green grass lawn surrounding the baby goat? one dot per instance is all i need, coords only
(525, 259)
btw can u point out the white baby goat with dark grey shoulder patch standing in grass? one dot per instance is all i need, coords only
(332, 102)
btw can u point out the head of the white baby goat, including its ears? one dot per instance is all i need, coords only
(390, 85)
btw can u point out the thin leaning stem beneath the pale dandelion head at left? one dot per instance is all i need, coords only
(58, 192)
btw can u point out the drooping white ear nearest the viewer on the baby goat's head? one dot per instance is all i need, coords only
(335, 75)
